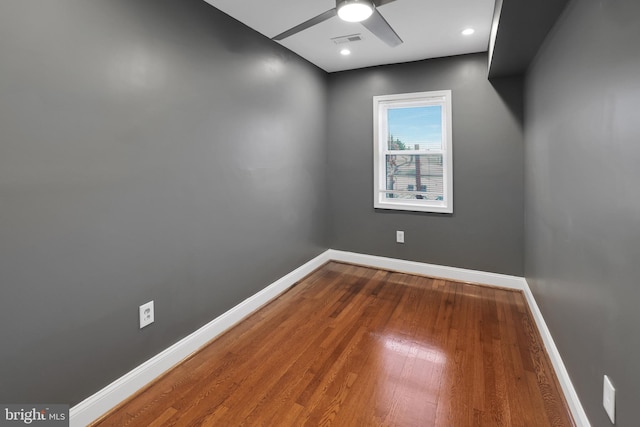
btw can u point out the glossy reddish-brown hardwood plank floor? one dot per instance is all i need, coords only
(356, 346)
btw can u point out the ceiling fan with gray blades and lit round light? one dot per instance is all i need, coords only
(363, 11)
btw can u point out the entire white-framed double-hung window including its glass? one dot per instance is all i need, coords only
(413, 163)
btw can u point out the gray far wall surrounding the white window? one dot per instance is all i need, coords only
(485, 232)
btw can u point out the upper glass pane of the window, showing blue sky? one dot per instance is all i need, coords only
(415, 128)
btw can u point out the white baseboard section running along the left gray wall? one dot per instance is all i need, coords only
(95, 406)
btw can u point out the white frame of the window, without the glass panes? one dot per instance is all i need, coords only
(380, 135)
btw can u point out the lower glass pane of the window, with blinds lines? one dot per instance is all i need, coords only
(414, 176)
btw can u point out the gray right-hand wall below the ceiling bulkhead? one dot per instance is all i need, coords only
(582, 198)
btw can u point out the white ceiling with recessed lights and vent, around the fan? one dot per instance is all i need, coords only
(429, 29)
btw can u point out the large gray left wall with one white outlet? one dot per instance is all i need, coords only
(149, 150)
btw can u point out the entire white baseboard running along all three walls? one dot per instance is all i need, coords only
(104, 400)
